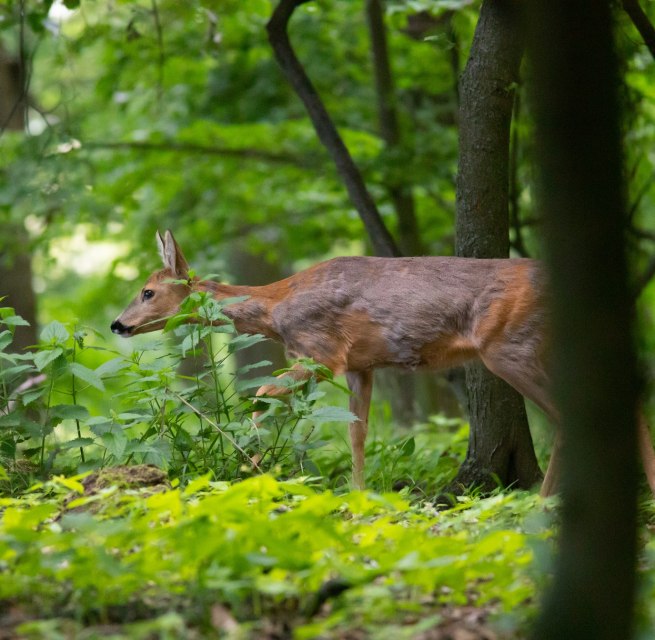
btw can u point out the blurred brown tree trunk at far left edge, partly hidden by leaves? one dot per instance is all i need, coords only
(15, 260)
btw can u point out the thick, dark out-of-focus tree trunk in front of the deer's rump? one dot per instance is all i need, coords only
(578, 128)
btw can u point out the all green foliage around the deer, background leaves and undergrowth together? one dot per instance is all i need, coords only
(152, 114)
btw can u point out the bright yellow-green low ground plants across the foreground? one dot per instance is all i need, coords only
(262, 558)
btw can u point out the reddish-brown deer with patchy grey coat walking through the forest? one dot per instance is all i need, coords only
(357, 314)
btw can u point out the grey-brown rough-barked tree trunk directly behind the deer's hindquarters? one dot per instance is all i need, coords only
(500, 444)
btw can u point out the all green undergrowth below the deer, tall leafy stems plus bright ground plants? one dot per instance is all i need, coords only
(138, 501)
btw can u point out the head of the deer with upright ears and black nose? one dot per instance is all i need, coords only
(160, 297)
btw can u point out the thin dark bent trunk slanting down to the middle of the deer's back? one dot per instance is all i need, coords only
(383, 243)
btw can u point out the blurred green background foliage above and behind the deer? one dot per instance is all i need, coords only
(154, 114)
